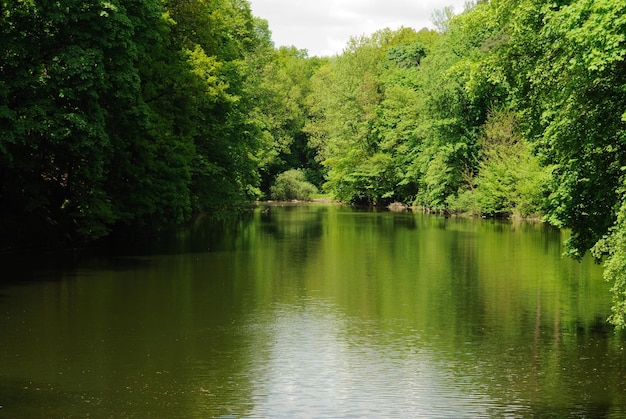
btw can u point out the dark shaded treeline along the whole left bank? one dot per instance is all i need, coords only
(121, 115)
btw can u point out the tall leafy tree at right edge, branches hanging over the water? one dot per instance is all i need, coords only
(568, 65)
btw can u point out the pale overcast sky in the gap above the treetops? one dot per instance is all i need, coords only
(323, 27)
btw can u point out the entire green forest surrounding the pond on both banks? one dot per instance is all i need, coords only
(122, 116)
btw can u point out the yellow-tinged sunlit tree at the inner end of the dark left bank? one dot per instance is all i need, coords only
(217, 39)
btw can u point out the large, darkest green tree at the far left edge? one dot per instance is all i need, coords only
(72, 95)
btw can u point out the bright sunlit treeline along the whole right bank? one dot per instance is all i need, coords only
(514, 107)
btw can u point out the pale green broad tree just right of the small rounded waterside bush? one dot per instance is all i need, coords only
(346, 126)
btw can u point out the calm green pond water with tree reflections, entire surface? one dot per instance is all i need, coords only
(314, 311)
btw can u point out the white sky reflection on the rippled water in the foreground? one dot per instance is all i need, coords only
(318, 365)
